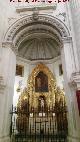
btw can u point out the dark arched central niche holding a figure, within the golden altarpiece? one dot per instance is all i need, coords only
(41, 82)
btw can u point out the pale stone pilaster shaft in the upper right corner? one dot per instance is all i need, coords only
(75, 16)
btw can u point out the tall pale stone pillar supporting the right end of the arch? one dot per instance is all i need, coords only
(68, 62)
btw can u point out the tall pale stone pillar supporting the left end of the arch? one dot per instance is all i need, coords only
(6, 90)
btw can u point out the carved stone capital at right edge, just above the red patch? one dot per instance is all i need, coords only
(75, 80)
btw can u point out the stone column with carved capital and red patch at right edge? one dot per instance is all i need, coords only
(75, 85)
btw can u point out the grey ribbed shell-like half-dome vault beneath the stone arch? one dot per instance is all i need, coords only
(39, 48)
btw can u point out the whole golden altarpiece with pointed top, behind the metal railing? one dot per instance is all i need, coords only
(42, 100)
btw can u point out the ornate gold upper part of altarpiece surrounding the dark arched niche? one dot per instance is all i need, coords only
(29, 94)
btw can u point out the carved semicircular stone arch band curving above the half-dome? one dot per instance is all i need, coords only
(26, 23)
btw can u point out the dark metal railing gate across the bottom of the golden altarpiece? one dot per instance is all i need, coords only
(31, 125)
